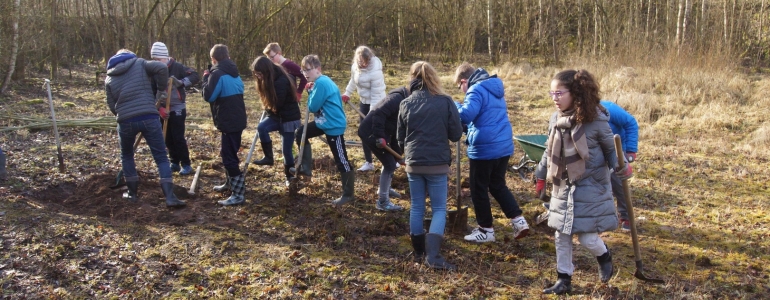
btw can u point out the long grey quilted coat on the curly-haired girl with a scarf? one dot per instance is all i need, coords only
(585, 204)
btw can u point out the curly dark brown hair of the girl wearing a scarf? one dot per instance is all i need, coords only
(585, 93)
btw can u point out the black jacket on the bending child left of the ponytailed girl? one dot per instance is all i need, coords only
(382, 120)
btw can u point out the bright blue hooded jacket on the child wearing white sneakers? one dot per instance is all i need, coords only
(484, 110)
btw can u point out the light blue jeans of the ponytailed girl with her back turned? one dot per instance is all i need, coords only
(436, 185)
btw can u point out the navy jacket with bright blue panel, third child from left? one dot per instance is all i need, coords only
(223, 89)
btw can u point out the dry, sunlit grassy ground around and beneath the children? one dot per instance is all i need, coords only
(700, 192)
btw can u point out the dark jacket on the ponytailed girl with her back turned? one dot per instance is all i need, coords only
(425, 125)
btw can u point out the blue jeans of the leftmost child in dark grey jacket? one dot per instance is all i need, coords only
(152, 132)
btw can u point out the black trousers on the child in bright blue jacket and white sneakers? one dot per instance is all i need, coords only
(488, 177)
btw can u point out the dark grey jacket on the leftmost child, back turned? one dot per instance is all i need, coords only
(129, 87)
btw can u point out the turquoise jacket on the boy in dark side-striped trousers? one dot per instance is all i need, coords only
(325, 102)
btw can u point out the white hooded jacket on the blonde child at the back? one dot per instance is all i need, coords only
(370, 82)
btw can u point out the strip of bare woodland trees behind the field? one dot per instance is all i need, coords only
(51, 34)
